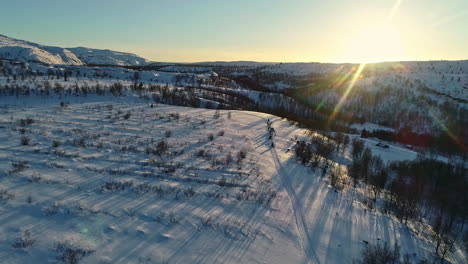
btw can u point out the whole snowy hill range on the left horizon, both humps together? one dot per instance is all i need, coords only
(20, 50)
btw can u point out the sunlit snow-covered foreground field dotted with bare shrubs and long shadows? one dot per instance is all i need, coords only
(115, 180)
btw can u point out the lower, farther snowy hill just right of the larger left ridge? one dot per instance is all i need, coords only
(107, 57)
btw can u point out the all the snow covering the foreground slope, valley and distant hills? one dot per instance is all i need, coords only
(105, 190)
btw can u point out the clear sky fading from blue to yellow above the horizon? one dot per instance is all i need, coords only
(262, 30)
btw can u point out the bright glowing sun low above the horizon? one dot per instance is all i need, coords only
(375, 43)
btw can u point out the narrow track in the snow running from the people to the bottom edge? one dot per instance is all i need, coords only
(297, 208)
